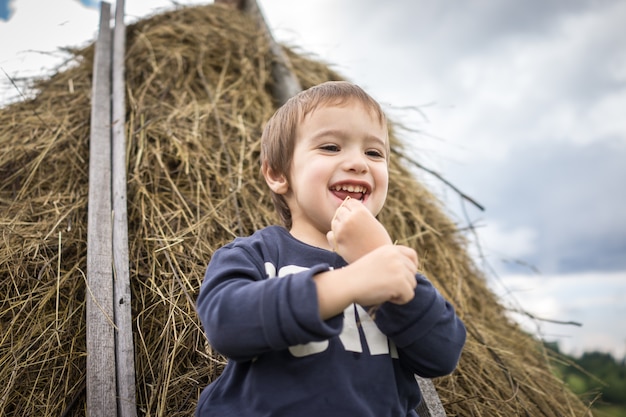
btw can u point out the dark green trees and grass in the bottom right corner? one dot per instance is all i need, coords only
(597, 377)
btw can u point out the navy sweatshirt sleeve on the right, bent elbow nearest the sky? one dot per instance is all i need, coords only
(427, 332)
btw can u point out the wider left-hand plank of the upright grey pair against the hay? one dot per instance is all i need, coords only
(101, 381)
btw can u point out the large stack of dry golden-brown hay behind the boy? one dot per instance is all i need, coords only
(197, 97)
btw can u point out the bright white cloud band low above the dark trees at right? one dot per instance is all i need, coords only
(595, 300)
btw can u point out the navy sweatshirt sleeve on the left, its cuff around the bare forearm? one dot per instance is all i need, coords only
(245, 314)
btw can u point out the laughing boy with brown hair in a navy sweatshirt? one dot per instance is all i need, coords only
(289, 306)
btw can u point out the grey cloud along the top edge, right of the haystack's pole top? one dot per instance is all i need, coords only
(461, 26)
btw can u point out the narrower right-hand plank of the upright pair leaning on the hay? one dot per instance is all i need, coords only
(124, 348)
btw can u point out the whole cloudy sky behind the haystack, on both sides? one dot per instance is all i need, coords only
(520, 105)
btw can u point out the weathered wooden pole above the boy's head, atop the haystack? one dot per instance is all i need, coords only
(285, 83)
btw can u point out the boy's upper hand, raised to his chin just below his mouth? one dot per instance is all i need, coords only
(355, 231)
